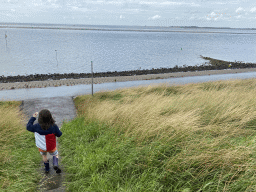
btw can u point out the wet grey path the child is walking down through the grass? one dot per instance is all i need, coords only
(62, 109)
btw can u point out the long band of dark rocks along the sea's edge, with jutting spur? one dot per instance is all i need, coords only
(213, 64)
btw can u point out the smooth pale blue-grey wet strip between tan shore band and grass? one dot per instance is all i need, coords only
(62, 91)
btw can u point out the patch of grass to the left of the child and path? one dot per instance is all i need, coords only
(19, 158)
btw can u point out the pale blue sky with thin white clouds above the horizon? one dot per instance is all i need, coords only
(201, 13)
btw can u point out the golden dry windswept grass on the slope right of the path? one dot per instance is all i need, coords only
(212, 122)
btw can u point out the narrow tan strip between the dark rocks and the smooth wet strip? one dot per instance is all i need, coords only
(99, 80)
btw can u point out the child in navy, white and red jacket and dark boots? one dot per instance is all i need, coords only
(45, 134)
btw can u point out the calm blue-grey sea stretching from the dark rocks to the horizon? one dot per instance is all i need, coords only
(42, 51)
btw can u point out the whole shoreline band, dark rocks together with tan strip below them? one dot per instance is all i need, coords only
(212, 67)
